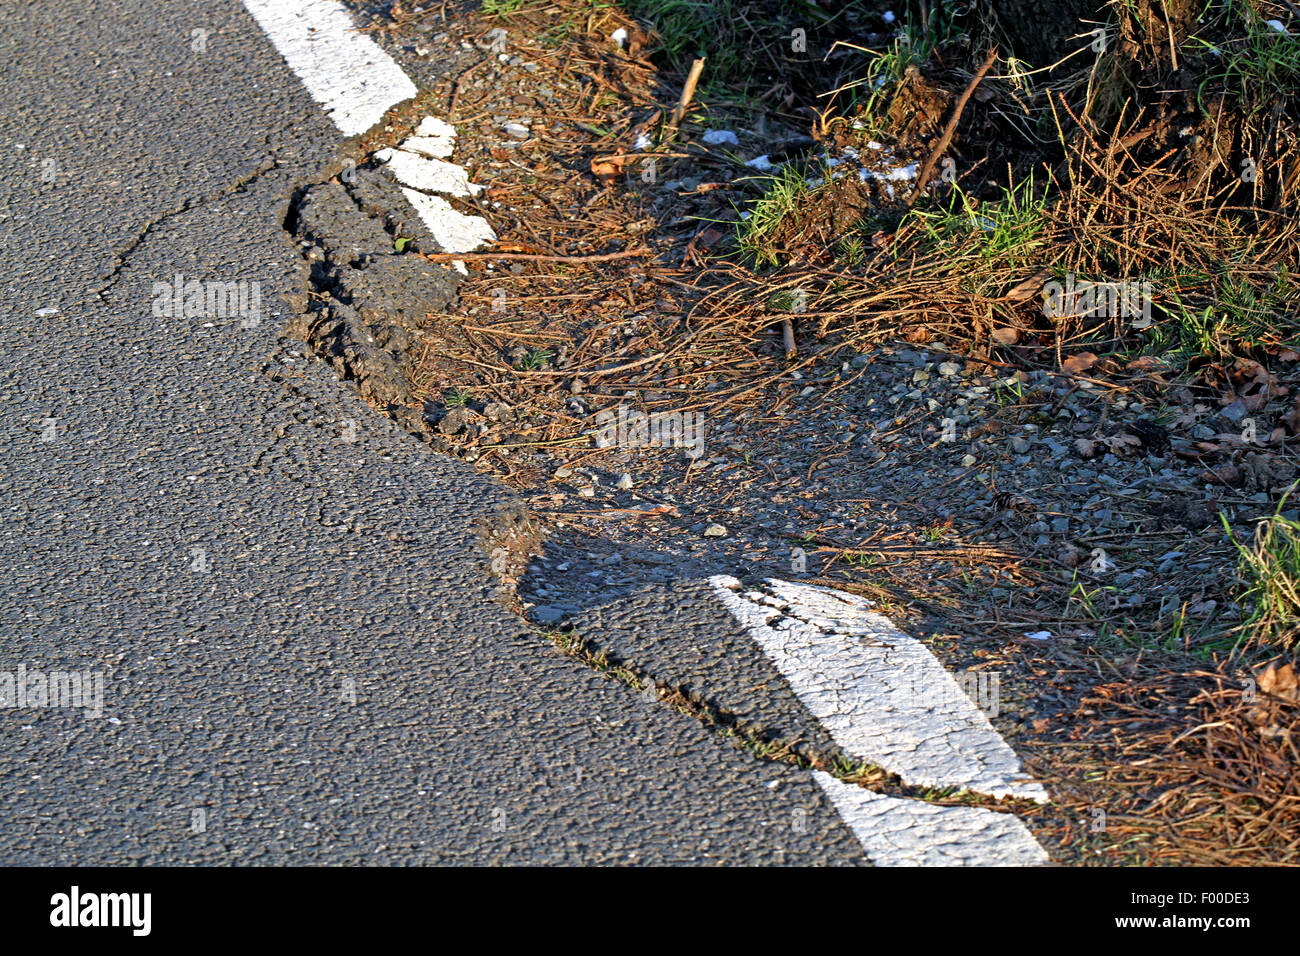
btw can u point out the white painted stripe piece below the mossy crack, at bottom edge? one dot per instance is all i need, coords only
(912, 833)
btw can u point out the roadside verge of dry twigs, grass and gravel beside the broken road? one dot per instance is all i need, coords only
(1072, 224)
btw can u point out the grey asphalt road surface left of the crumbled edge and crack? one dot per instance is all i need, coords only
(305, 657)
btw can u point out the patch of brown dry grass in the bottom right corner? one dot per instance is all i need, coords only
(1194, 768)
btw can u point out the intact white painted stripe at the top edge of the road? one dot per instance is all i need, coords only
(344, 71)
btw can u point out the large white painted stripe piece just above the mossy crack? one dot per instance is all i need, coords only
(881, 694)
